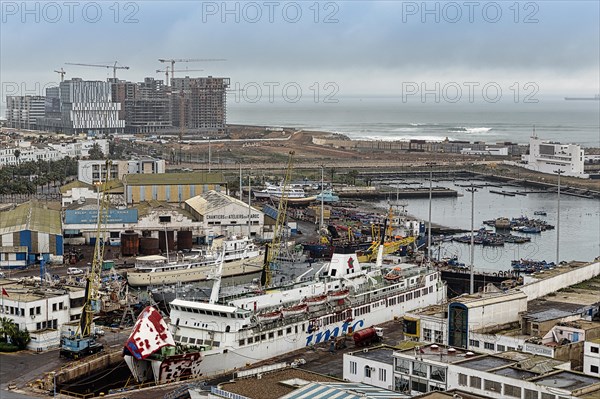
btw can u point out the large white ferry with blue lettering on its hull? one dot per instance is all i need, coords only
(346, 297)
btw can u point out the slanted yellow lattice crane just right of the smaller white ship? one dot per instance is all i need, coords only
(274, 248)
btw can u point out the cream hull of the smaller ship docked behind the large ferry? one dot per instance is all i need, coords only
(234, 268)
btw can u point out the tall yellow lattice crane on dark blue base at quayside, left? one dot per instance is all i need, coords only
(83, 342)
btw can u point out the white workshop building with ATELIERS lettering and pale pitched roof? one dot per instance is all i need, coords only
(220, 214)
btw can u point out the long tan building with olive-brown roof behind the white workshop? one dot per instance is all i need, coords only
(170, 187)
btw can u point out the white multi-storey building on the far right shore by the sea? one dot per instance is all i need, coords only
(548, 157)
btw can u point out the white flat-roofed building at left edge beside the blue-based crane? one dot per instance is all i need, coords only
(43, 312)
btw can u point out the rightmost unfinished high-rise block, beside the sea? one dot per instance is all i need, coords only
(199, 104)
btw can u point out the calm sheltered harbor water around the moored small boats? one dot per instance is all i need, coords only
(579, 224)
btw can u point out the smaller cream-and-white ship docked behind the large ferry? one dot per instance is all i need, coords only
(240, 256)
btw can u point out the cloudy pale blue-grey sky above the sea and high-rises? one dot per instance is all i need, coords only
(366, 48)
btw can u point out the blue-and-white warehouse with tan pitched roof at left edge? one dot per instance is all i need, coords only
(28, 233)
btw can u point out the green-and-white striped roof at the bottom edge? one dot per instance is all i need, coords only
(317, 390)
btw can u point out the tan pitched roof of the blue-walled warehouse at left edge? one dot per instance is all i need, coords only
(33, 216)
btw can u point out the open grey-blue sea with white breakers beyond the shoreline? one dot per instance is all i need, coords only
(391, 118)
